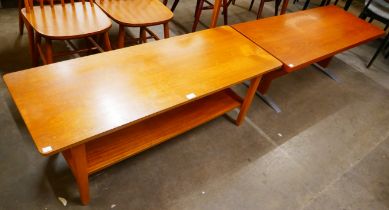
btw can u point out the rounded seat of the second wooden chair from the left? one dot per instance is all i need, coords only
(135, 13)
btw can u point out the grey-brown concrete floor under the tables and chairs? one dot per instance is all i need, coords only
(328, 149)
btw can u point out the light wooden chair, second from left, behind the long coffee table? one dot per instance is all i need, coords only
(137, 13)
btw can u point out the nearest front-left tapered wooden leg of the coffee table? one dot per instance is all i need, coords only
(76, 158)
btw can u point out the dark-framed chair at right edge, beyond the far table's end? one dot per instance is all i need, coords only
(377, 10)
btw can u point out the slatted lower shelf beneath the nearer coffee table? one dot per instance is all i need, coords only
(124, 143)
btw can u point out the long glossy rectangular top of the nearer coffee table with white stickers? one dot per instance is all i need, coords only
(68, 103)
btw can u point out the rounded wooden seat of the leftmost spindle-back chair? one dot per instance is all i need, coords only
(71, 21)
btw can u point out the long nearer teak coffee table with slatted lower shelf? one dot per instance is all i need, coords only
(98, 110)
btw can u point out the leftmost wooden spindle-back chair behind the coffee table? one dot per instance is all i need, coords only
(64, 21)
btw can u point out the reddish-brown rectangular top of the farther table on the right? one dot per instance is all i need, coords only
(302, 38)
